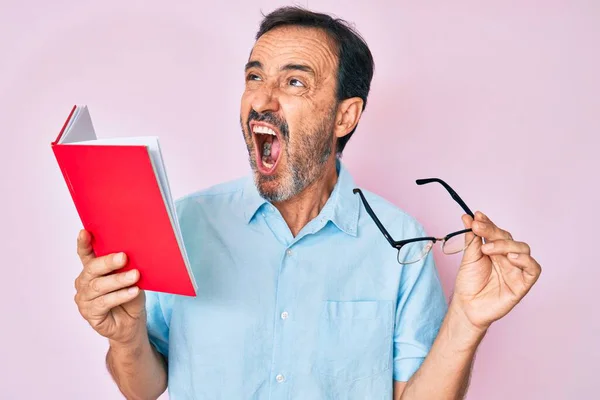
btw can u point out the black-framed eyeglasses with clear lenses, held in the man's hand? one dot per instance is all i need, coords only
(414, 250)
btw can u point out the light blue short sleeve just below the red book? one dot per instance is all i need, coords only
(158, 312)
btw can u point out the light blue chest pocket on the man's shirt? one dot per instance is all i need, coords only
(354, 339)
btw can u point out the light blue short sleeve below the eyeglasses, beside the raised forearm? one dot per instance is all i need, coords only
(420, 311)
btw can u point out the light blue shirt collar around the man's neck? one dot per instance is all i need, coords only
(341, 208)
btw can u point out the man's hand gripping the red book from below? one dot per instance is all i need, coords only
(109, 301)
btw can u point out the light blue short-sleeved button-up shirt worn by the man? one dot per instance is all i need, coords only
(328, 314)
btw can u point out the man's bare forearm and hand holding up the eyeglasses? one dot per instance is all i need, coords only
(490, 282)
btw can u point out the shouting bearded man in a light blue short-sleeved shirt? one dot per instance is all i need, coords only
(300, 296)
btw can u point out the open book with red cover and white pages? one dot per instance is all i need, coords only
(120, 189)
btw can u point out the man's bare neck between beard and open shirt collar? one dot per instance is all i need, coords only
(302, 208)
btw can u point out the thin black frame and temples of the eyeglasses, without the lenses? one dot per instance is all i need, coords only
(398, 244)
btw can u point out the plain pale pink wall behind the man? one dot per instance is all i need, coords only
(499, 98)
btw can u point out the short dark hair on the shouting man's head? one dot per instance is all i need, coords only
(355, 62)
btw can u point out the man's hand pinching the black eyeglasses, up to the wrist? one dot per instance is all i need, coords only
(493, 277)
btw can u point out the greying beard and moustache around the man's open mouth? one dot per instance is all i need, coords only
(304, 158)
